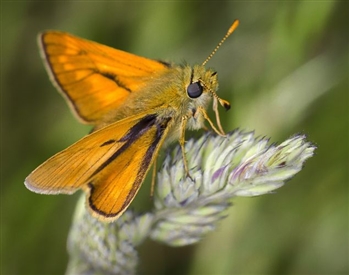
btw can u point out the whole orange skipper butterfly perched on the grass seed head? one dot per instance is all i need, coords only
(135, 104)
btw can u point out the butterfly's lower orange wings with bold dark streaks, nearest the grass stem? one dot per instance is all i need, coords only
(109, 164)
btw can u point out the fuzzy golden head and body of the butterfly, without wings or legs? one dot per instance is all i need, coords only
(170, 99)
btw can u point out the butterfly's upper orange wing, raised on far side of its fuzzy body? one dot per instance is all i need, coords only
(94, 78)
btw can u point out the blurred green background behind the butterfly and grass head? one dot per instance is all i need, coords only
(285, 71)
